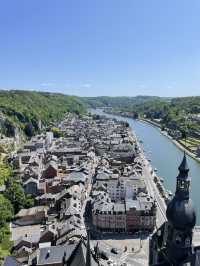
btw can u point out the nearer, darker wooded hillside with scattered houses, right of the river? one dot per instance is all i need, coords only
(179, 113)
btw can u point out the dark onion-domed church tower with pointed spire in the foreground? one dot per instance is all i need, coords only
(181, 219)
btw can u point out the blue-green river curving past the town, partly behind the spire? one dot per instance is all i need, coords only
(165, 156)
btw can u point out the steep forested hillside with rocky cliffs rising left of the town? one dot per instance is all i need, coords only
(29, 111)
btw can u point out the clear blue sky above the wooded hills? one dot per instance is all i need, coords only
(101, 47)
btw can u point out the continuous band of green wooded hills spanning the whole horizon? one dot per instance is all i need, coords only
(29, 111)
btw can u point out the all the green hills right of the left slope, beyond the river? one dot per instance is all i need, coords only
(181, 114)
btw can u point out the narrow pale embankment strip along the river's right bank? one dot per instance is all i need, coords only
(175, 142)
